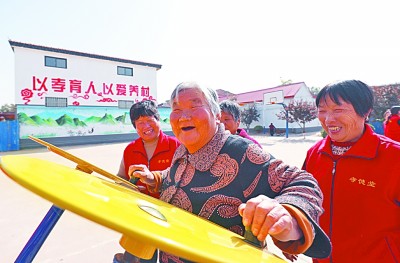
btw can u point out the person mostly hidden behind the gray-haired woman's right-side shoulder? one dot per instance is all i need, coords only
(230, 117)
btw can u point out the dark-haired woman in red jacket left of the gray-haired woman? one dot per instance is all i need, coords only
(153, 148)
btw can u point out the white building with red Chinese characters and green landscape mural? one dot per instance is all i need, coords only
(64, 93)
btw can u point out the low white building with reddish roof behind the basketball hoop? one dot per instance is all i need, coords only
(270, 101)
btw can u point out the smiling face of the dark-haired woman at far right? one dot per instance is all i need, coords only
(341, 122)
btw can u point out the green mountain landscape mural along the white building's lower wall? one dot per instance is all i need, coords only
(44, 122)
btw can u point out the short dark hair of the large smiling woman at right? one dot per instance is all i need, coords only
(355, 92)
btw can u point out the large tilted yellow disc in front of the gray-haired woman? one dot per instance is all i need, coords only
(137, 216)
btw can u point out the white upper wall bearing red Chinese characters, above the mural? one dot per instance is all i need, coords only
(30, 69)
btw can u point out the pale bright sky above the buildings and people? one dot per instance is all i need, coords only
(226, 44)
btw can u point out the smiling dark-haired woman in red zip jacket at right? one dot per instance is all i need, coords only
(358, 172)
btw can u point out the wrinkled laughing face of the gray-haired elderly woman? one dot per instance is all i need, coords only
(192, 120)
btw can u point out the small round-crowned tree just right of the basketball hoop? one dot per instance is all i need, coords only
(299, 111)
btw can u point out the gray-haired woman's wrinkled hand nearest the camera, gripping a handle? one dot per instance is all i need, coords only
(267, 216)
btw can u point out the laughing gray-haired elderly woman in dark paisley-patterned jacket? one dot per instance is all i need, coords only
(232, 182)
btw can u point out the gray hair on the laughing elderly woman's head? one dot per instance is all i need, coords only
(209, 94)
